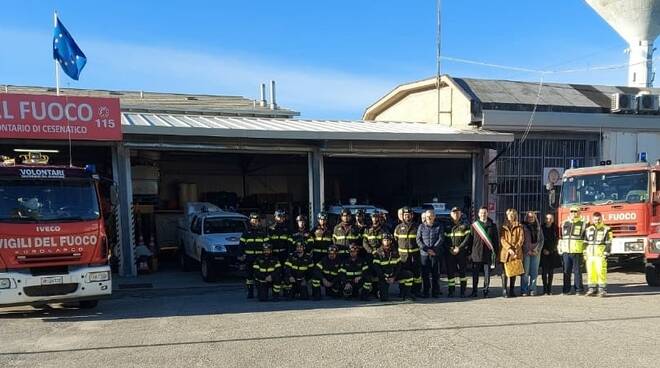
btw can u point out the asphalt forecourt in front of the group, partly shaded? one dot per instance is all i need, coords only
(215, 326)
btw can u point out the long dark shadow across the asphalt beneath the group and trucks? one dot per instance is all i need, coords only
(172, 294)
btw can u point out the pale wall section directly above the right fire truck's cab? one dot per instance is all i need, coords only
(623, 147)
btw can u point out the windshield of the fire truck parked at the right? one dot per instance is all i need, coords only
(606, 188)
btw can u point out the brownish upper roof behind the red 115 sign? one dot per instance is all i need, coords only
(169, 102)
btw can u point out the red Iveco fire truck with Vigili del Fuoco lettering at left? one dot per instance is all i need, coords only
(53, 244)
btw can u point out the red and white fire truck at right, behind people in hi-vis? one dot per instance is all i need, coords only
(628, 196)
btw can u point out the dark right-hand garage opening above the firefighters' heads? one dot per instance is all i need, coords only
(391, 183)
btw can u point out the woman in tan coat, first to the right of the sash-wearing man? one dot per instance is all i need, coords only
(512, 238)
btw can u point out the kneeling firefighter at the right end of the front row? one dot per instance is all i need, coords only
(387, 268)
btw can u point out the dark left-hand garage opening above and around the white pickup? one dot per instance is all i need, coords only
(164, 181)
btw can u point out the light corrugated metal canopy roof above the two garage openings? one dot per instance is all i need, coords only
(271, 128)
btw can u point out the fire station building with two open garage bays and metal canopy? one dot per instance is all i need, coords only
(251, 155)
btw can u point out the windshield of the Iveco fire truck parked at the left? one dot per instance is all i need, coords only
(48, 200)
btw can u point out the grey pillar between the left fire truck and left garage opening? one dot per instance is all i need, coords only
(121, 168)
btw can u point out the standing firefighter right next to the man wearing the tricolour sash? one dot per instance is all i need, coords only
(456, 239)
